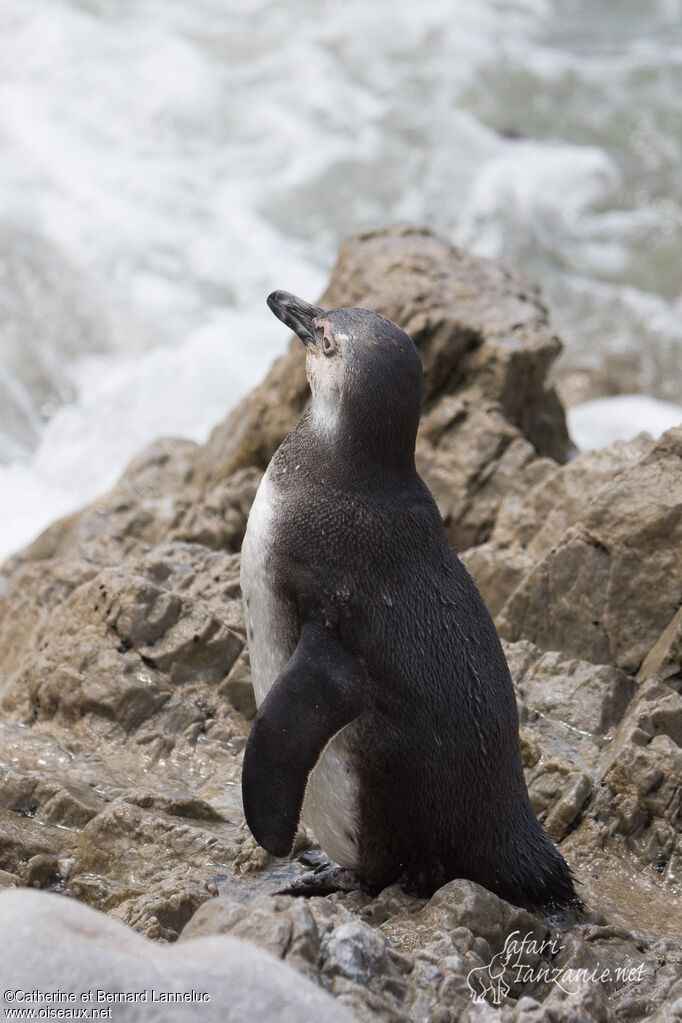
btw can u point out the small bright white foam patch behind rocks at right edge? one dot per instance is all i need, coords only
(597, 424)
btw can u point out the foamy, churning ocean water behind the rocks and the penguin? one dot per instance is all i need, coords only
(165, 165)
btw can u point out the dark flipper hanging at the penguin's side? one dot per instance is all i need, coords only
(321, 691)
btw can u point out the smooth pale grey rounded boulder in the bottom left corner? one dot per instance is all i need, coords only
(54, 945)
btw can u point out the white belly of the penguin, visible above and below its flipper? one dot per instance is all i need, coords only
(331, 806)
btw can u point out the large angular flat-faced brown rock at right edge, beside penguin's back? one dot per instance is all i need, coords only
(614, 579)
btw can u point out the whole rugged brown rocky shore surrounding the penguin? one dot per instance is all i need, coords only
(126, 700)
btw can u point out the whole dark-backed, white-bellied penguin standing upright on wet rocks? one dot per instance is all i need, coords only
(387, 718)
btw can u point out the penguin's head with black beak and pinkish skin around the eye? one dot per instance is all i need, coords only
(365, 373)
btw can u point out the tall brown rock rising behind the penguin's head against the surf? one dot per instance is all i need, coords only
(498, 349)
